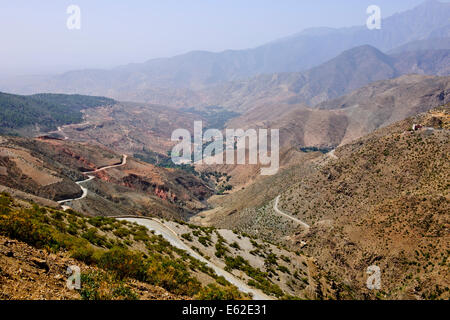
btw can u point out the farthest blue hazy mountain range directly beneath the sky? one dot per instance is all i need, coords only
(151, 81)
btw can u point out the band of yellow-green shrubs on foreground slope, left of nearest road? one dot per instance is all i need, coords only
(160, 264)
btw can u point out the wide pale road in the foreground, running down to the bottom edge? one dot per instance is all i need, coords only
(172, 237)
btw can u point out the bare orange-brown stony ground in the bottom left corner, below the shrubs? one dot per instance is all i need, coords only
(24, 276)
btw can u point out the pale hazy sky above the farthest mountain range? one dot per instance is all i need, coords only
(35, 39)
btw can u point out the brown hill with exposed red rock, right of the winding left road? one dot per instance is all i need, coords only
(143, 189)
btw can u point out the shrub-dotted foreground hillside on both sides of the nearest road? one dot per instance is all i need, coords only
(123, 260)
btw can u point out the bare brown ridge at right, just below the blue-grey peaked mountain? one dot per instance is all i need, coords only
(342, 120)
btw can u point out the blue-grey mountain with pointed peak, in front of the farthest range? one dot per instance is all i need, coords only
(349, 71)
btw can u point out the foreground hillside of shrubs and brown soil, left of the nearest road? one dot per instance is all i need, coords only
(118, 260)
